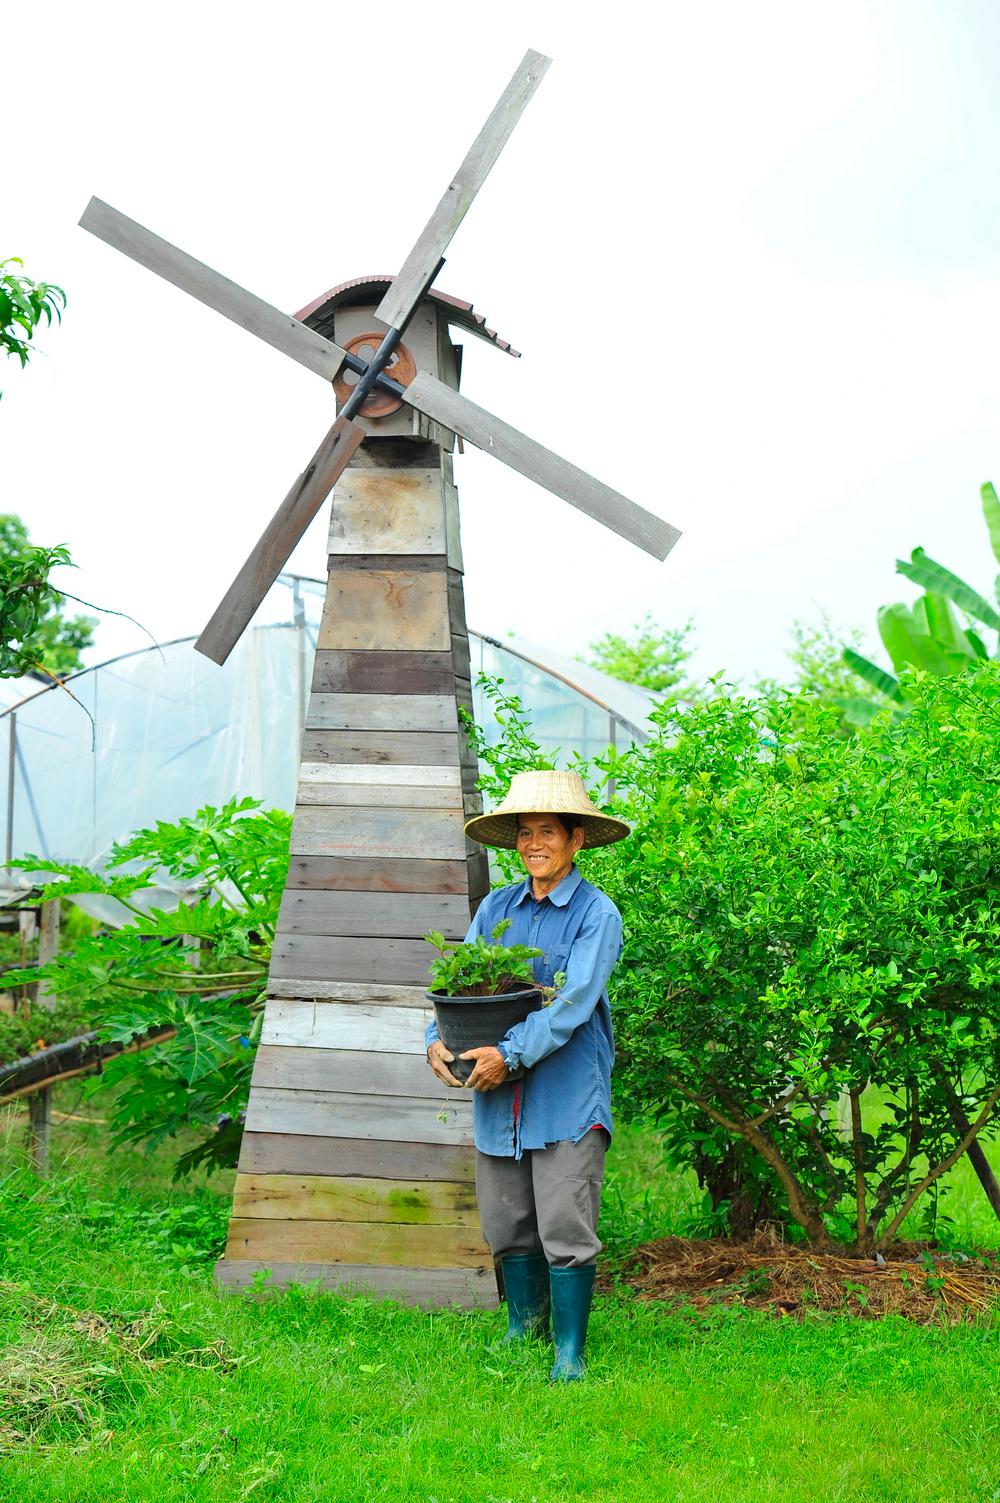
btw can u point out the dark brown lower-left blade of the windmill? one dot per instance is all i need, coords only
(271, 552)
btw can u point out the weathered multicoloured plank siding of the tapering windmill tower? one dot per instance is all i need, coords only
(357, 1166)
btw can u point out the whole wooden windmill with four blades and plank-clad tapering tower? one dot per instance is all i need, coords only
(353, 1169)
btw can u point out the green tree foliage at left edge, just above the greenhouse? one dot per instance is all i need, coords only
(34, 634)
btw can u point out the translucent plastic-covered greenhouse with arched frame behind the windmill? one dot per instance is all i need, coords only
(159, 733)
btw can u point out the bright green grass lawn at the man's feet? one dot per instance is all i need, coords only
(138, 1382)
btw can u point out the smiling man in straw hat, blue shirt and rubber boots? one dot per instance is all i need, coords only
(542, 1140)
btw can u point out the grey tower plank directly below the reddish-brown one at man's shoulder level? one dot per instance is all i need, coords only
(402, 916)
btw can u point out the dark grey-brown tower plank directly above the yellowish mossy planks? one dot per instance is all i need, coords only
(294, 1154)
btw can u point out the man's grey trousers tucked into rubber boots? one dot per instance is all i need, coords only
(545, 1202)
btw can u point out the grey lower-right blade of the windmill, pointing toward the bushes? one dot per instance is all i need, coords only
(506, 444)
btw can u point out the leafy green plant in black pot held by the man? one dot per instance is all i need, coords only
(482, 990)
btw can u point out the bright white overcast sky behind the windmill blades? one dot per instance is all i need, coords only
(751, 253)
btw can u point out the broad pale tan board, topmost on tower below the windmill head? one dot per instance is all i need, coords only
(389, 512)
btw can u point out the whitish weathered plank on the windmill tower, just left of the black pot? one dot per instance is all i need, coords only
(347, 1026)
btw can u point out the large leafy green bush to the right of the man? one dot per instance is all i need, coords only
(811, 922)
